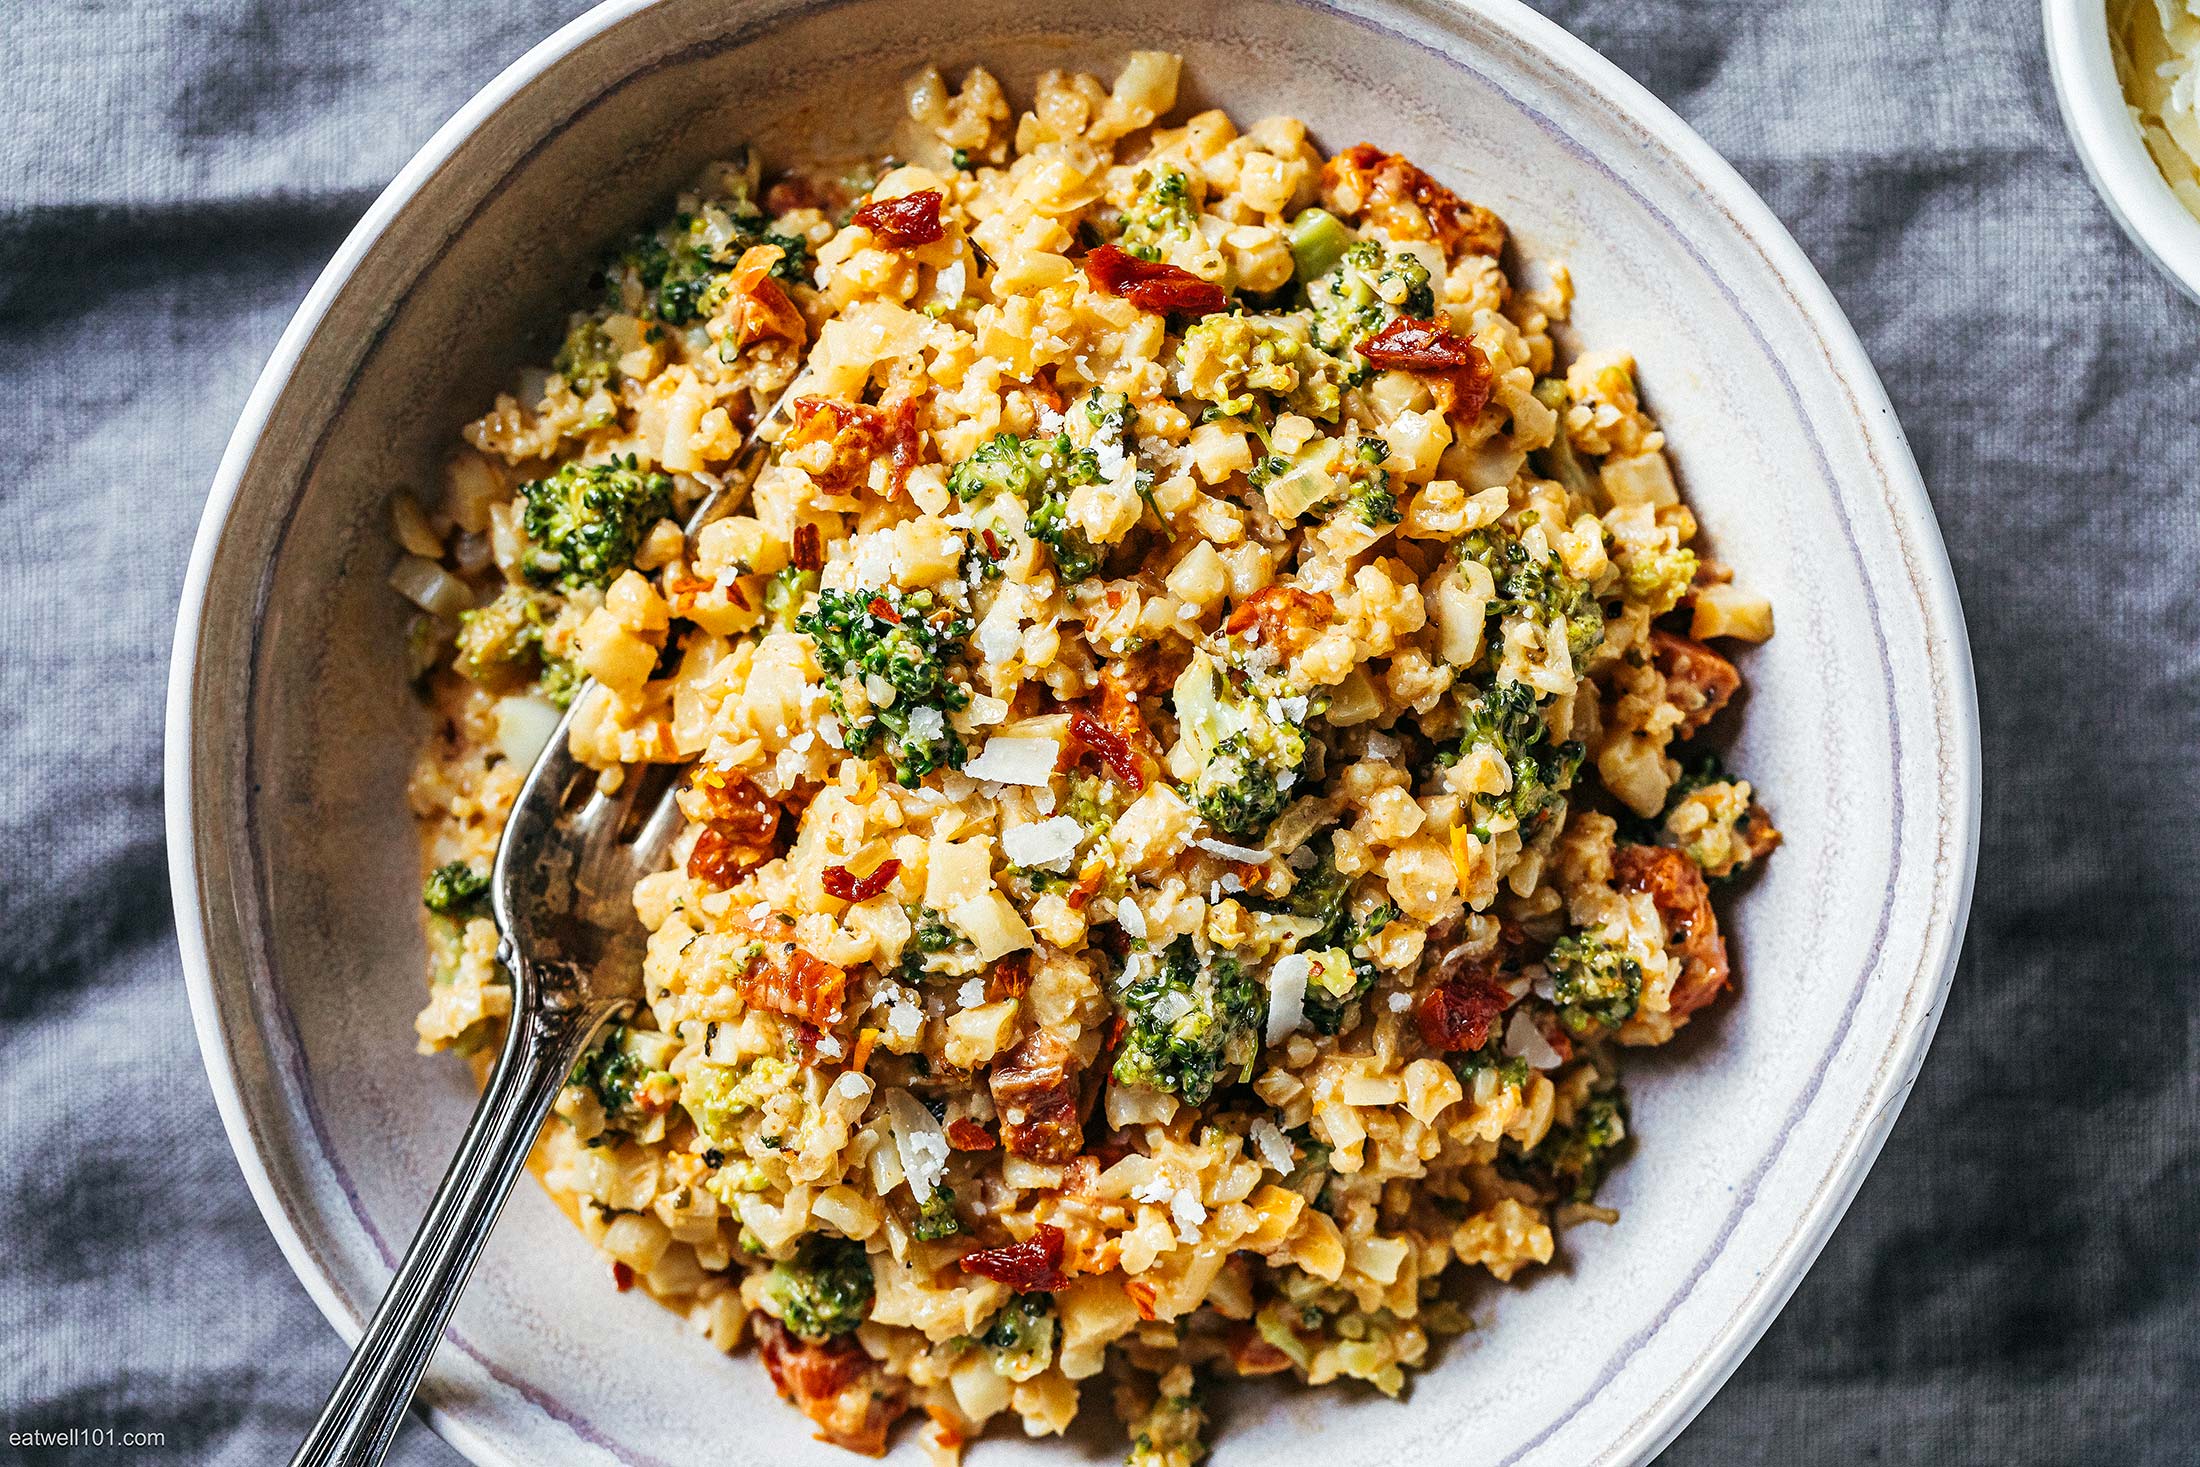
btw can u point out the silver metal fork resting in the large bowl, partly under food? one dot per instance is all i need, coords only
(569, 936)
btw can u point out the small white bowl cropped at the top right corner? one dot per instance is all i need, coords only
(2109, 142)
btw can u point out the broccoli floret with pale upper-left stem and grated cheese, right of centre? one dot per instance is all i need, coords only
(1248, 749)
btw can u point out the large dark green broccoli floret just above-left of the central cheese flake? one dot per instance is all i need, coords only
(907, 641)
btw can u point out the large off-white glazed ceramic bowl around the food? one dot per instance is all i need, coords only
(291, 729)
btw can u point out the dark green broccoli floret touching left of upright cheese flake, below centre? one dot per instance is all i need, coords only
(1189, 1022)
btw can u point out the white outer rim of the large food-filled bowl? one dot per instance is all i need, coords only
(1933, 575)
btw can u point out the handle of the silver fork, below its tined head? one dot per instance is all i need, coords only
(364, 1413)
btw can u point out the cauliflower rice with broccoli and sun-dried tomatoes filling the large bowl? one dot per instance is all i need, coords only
(1185, 758)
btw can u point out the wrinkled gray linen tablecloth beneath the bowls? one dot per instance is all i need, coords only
(2018, 1279)
